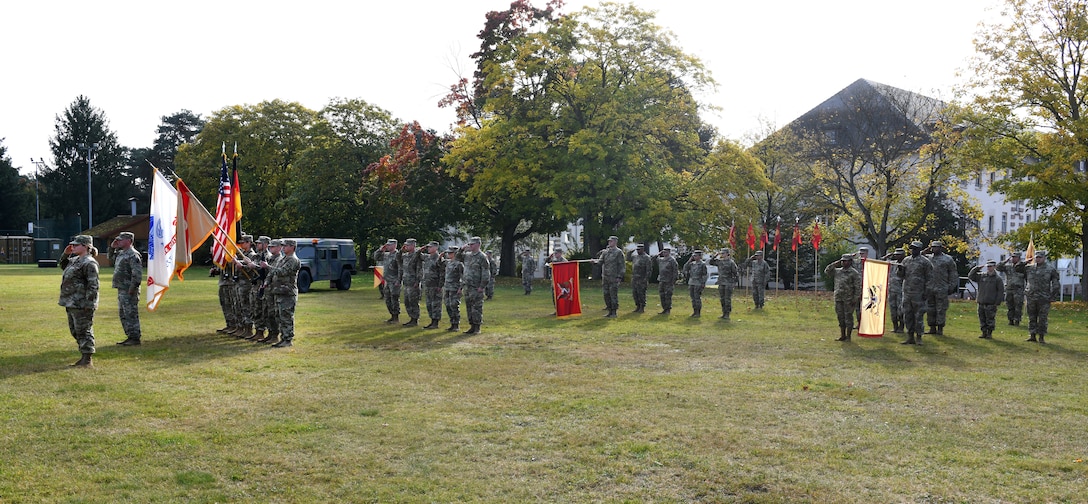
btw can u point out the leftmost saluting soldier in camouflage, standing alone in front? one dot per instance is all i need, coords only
(80, 294)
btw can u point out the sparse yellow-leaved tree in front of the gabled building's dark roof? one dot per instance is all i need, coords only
(879, 162)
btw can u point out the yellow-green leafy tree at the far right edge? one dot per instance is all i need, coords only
(1028, 118)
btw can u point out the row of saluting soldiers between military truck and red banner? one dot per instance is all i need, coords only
(444, 278)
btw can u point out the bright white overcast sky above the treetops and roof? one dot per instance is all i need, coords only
(141, 60)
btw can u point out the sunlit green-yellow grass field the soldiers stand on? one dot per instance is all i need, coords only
(640, 409)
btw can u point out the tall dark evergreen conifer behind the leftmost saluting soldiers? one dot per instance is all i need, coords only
(65, 187)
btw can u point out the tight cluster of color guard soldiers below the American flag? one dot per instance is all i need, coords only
(259, 292)
